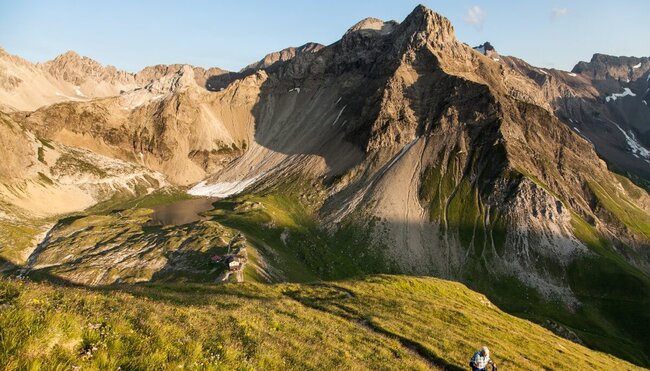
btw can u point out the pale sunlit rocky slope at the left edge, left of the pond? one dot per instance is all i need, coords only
(40, 177)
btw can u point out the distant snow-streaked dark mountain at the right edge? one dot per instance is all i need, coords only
(604, 101)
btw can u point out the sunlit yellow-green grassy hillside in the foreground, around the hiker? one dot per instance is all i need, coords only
(379, 322)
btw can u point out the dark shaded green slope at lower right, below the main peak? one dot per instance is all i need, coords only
(614, 297)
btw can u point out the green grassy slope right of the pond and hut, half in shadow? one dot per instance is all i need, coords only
(309, 252)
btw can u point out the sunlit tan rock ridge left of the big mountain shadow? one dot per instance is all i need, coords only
(171, 125)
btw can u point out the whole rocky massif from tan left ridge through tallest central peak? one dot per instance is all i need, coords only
(462, 129)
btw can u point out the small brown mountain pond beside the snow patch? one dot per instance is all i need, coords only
(181, 212)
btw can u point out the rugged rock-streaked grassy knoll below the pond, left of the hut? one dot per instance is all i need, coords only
(121, 245)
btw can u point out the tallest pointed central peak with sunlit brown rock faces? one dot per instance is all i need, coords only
(463, 126)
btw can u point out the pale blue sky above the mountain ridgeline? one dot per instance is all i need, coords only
(230, 34)
